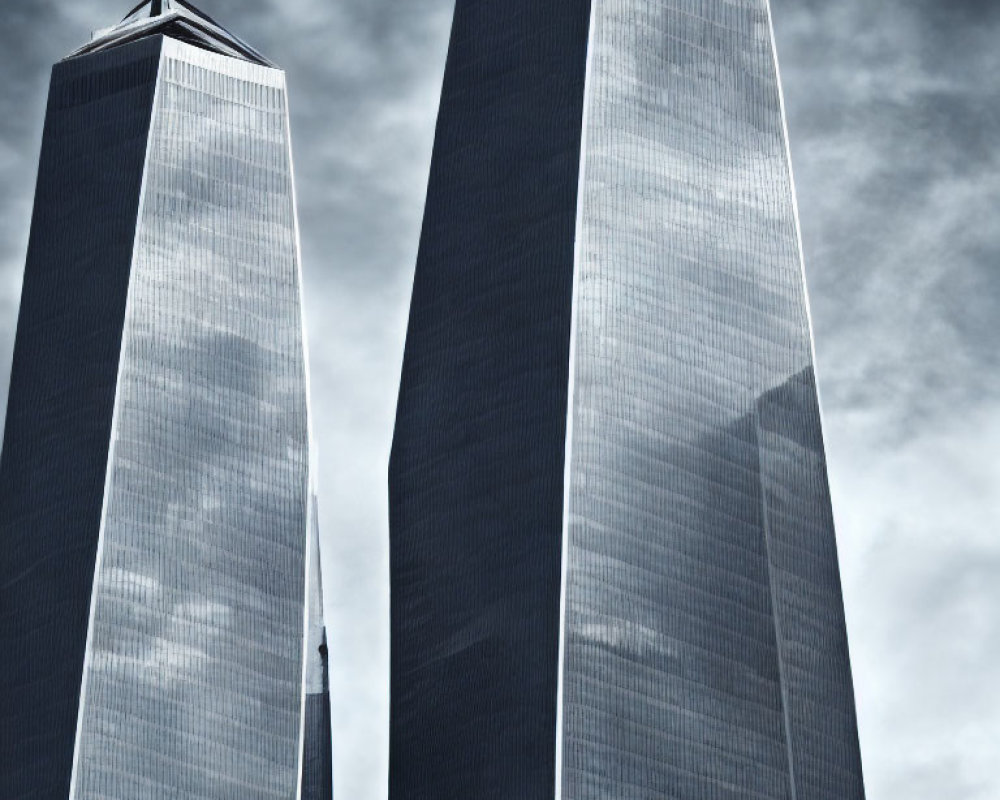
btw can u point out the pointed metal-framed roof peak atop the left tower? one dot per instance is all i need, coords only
(177, 19)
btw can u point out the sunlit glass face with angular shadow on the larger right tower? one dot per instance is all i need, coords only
(694, 641)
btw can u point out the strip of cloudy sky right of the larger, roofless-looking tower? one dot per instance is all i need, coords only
(893, 118)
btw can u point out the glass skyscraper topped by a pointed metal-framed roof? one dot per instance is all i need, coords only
(160, 611)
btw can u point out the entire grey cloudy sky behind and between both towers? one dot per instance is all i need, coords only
(894, 115)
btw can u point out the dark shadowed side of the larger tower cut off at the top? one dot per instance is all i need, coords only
(476, 474)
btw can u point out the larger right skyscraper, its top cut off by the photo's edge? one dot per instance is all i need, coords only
(614, 569)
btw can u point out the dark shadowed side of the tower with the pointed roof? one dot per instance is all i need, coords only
(60, 405)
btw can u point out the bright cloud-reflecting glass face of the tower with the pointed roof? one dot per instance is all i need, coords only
(195, 674)
